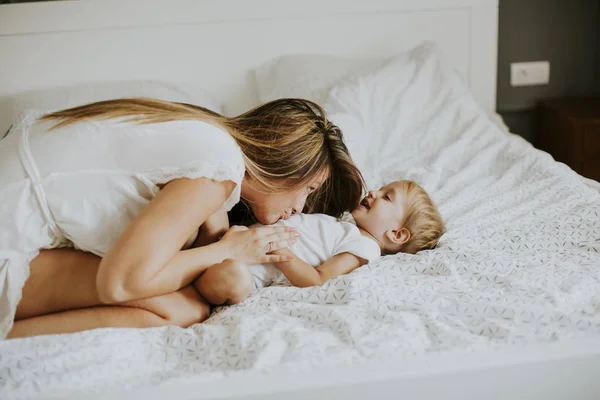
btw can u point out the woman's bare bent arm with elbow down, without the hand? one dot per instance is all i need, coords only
(135, 267)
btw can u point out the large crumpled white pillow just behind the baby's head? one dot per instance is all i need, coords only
(397, 118)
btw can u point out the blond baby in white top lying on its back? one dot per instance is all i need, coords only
(399, 217)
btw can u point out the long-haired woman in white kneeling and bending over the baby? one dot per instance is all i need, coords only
(131, 184)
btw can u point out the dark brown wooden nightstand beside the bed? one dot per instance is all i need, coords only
(569, 129)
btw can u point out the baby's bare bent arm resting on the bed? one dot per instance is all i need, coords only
(302, 274)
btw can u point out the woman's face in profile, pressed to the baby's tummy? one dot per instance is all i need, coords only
(269, 207)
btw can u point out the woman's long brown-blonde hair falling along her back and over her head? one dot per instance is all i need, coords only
(286, 143)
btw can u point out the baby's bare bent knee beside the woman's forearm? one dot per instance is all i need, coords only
(229, 282)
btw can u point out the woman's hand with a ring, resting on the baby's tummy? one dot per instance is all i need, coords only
(255, 246)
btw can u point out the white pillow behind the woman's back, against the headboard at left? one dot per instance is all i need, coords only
(59, 98)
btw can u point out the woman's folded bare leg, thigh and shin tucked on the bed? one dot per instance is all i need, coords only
(65, 280)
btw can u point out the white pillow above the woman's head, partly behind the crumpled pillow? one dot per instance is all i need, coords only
(307, 76)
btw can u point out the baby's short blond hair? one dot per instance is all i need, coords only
(422, 220)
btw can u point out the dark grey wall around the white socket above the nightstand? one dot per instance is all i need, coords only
(564, 32)
